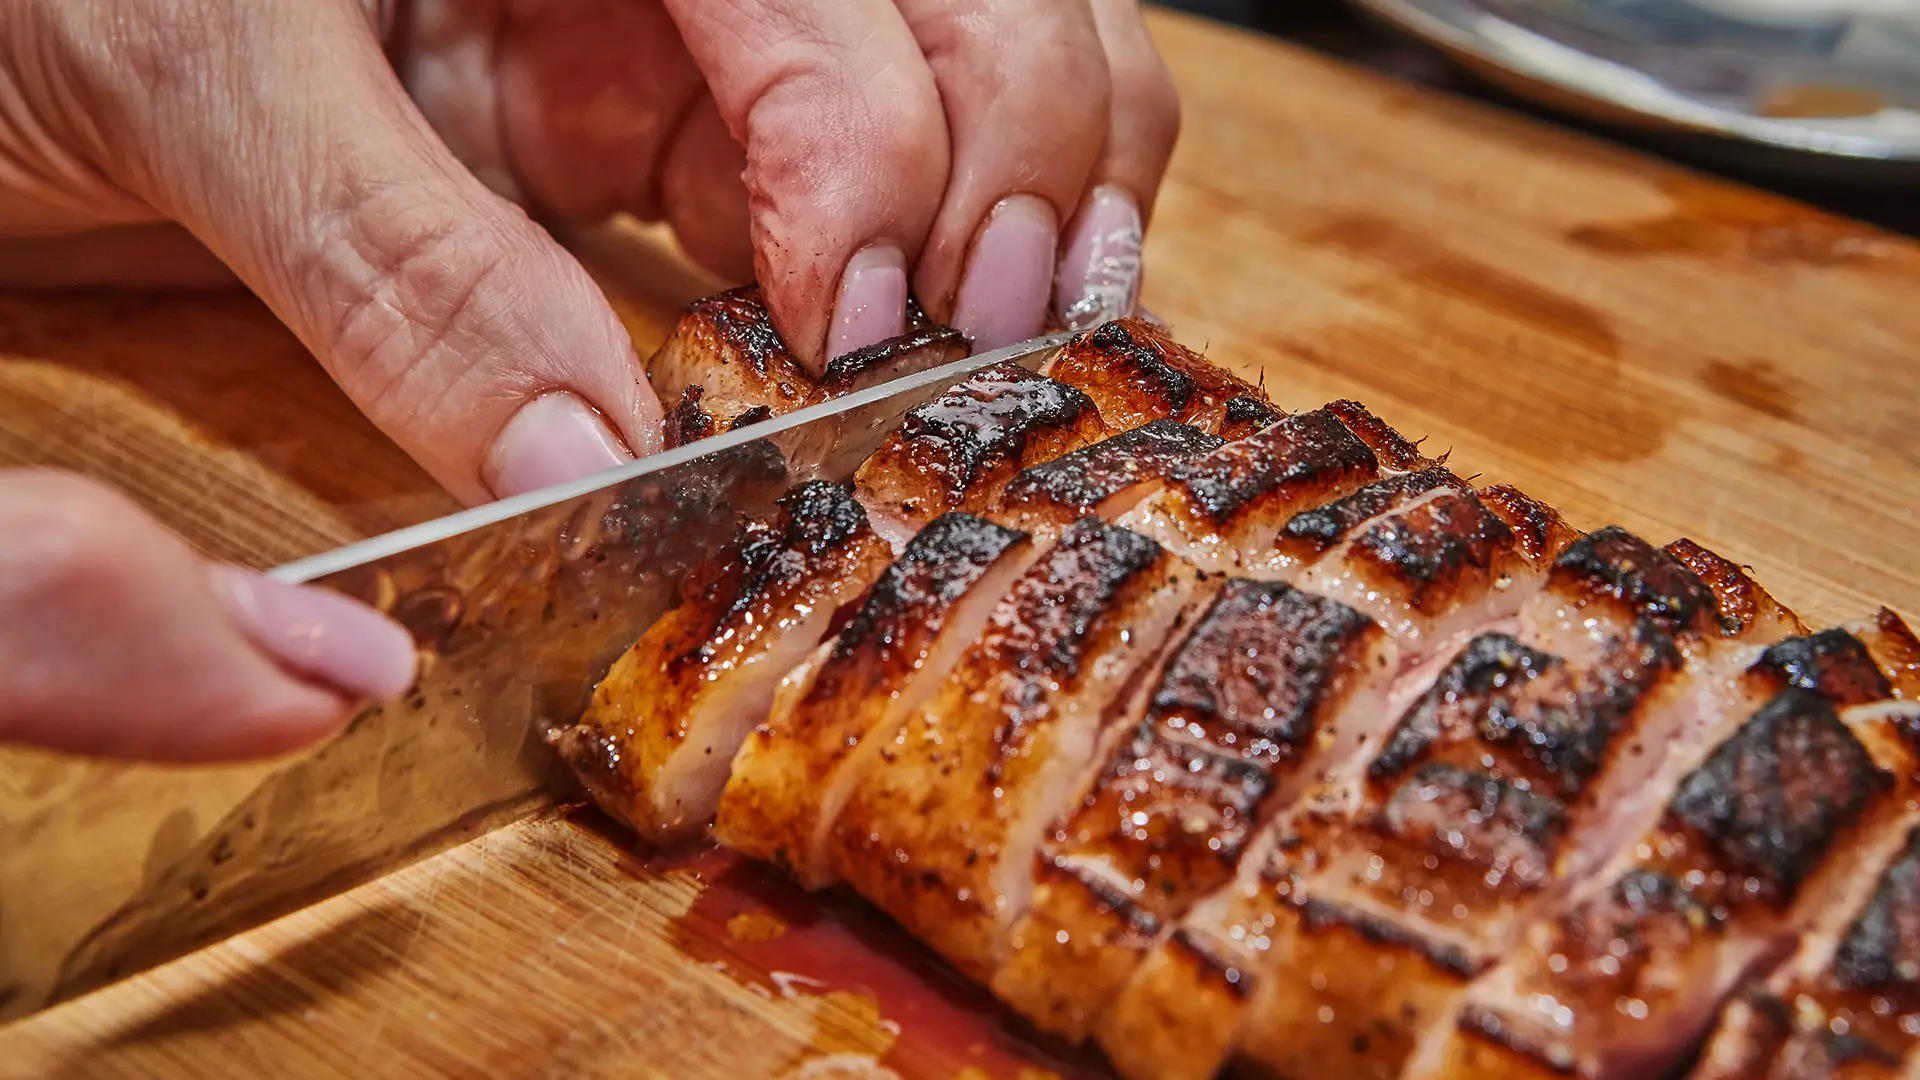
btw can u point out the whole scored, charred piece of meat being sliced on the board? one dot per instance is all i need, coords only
(1205, 729)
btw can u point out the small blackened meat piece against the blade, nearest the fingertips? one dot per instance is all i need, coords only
(959, 451)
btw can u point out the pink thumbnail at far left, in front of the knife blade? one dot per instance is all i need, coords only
(320, 635)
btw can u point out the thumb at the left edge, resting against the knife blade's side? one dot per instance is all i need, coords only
(118, 641)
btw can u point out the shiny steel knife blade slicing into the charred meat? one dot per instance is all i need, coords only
(517, 610)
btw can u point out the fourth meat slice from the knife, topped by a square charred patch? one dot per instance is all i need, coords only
(1266, 693)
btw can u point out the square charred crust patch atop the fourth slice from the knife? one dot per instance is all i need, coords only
(1260, 662)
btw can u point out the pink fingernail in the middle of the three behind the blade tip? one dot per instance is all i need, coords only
(1011, 274)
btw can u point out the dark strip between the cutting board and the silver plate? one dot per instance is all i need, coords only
(1337, 28)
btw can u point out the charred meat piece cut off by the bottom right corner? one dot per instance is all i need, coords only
(1848, 1004)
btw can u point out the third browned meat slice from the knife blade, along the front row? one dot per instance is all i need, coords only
(944, 827)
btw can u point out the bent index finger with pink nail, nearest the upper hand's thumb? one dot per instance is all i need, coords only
(848, 157)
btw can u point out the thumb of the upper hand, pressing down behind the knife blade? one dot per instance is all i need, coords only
(281, 137)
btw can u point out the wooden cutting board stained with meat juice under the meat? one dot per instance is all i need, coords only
(1627, 341)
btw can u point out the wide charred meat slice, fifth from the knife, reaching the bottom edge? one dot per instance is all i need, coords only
(1362, 916)
